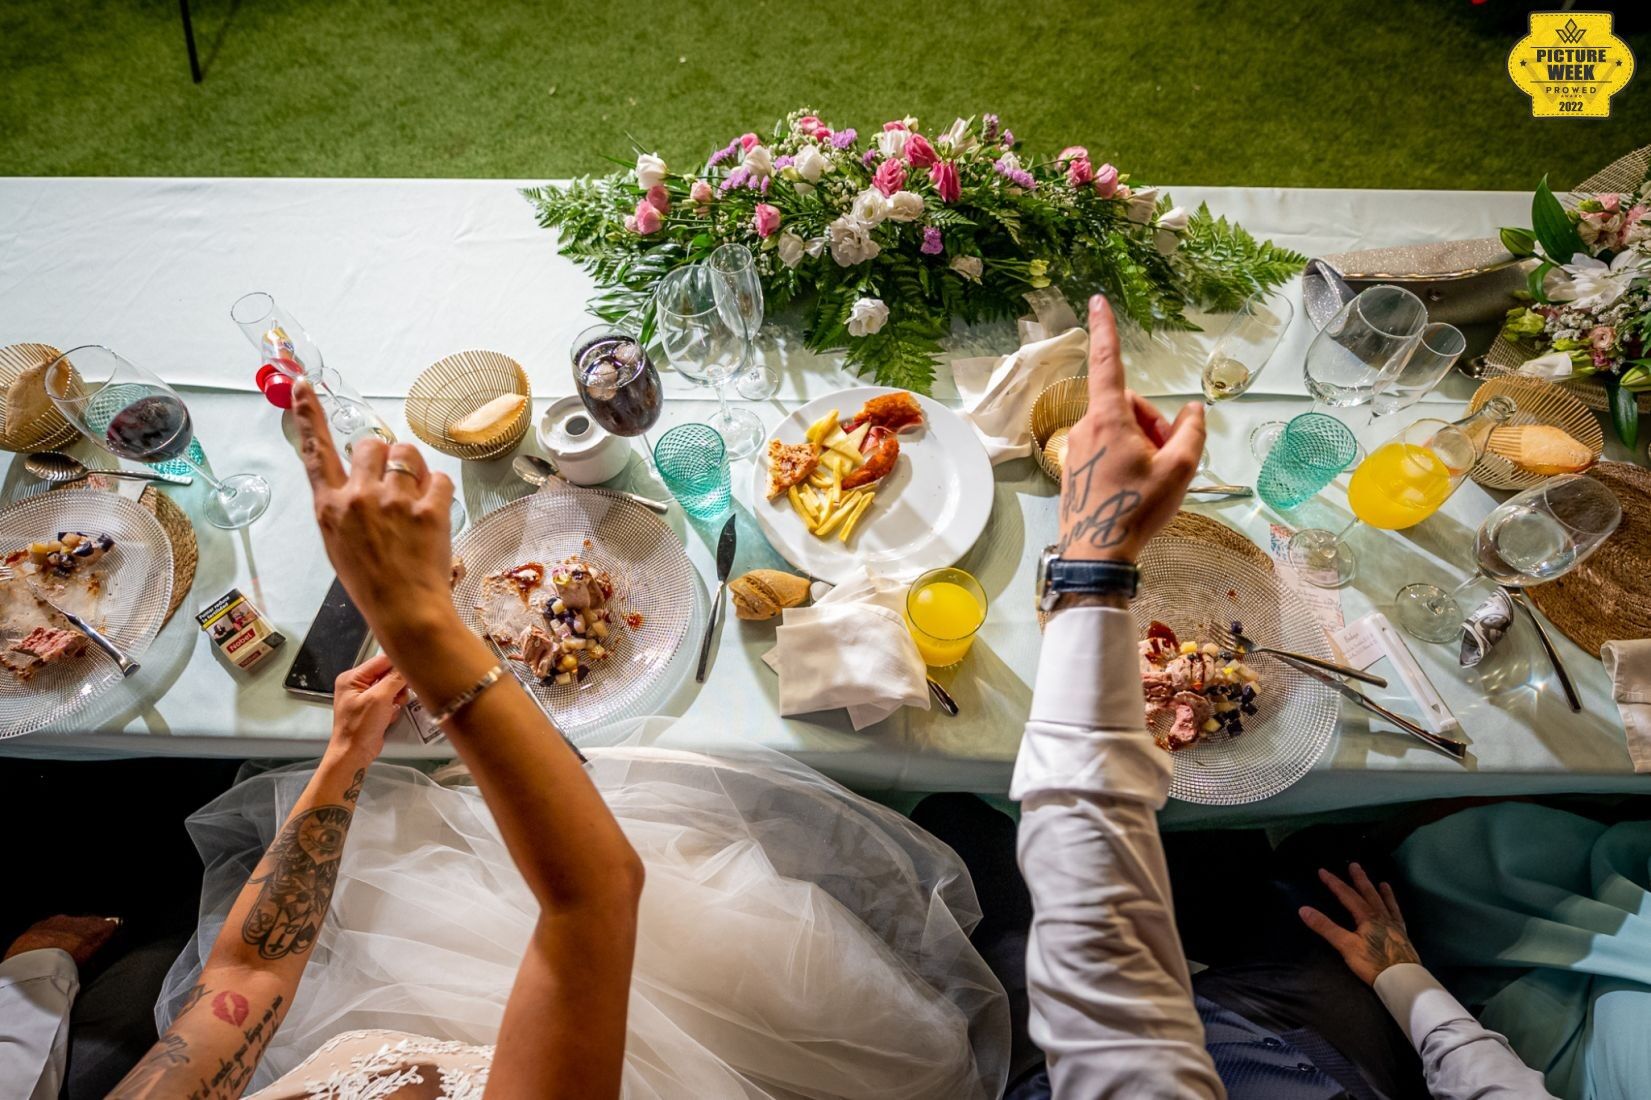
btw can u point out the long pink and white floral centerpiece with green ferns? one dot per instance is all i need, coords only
(886, 240)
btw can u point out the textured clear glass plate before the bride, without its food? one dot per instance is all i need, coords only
(653, 579)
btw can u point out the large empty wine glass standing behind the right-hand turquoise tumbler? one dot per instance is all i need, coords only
(1353, 358)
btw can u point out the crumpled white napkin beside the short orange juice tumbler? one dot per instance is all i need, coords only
(849, 650)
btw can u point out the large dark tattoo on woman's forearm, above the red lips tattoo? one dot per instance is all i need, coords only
(295, 894)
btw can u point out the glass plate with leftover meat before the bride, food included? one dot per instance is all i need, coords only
(590, 597)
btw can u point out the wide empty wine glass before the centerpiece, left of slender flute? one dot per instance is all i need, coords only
(706, 349)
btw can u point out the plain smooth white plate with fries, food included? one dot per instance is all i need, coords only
(873, 478)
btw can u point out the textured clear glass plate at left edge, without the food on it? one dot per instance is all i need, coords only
(131, 609)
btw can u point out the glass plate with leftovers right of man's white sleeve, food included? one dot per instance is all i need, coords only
(1239, 729)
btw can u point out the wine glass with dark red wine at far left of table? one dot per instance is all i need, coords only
(135, 415)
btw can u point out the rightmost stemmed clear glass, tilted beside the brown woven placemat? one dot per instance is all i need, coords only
(1535, 538)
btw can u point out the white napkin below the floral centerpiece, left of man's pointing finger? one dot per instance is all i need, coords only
(998, 392)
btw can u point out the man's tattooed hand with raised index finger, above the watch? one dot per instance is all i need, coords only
(1127, 468)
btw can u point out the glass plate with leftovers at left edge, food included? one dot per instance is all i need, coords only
(98, 556)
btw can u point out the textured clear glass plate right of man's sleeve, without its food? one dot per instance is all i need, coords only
(1190, 584)
